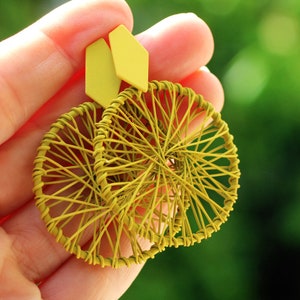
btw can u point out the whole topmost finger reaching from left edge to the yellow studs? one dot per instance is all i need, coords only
(39, 60)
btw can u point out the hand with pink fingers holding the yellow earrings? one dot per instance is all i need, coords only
(41, 77)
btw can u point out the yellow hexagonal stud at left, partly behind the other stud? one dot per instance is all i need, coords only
(101, 82)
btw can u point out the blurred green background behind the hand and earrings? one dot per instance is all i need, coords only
(256, 255)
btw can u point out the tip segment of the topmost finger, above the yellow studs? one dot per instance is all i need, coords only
(77, 23)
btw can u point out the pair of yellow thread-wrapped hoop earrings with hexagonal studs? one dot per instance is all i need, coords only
(121, 178)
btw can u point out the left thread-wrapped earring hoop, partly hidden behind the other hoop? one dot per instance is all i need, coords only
(70, 199)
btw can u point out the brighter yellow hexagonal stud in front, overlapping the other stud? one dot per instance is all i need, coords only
(130, 58)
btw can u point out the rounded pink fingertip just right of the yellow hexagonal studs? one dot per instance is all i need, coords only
(178, 46)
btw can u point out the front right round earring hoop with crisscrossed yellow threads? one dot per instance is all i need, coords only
(166, 164)
